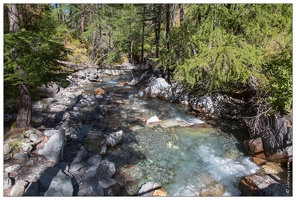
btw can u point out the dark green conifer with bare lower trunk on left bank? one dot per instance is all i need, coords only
(31, 56)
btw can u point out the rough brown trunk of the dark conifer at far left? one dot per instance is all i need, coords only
(24, 115)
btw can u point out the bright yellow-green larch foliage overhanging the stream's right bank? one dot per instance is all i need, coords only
(234, 42)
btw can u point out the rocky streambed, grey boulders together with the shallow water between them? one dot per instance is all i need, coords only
(98, 137)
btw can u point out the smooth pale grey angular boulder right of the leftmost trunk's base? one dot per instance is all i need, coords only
(53, 149)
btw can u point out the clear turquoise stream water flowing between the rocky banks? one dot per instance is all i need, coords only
(182, 154)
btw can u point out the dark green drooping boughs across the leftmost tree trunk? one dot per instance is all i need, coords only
(37, 55)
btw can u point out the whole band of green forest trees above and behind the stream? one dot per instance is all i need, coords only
(227, 48)
